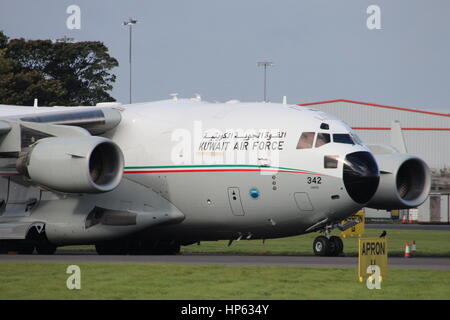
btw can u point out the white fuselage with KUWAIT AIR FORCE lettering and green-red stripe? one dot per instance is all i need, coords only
(232, 169)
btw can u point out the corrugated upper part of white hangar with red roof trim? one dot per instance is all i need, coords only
(426, 133)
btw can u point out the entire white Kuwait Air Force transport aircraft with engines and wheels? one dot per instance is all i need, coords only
(147, 178)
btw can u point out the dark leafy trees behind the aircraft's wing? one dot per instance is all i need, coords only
(56, 73)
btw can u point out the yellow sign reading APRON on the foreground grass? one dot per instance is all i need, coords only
(372, 252)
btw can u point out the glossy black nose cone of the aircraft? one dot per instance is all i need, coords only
(361, 176)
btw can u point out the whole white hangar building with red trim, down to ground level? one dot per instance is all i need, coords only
(426, 134)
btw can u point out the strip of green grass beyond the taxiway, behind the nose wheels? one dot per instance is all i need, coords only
(429, 243)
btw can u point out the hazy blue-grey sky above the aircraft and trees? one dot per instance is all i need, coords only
(321, 50)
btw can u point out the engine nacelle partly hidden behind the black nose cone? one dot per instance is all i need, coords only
(405, 182)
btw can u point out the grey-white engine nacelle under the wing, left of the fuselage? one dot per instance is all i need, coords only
(74, 165)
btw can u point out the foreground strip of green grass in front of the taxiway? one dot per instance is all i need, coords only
(153, 281)
